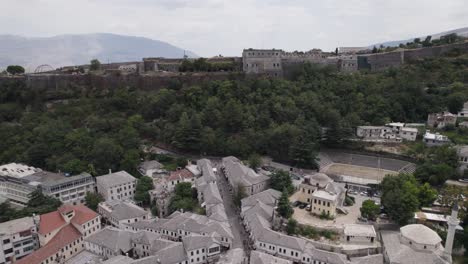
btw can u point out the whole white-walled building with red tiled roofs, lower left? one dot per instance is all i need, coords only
(61, 234)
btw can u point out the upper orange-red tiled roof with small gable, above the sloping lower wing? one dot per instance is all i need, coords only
(54, 220)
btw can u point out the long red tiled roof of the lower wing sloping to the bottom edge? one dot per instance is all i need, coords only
(64, 237)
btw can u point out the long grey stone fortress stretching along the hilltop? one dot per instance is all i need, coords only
(277, 62)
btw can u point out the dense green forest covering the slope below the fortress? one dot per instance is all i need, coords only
(277, 117)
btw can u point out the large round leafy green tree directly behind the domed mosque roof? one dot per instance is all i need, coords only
(400, 197)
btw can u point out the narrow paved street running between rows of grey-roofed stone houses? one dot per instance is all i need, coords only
(231, 211)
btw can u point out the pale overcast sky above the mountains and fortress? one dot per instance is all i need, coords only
(211, 27)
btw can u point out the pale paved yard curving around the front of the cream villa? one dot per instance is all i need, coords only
(304, 217)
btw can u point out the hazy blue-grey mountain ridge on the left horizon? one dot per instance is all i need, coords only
(64, 50)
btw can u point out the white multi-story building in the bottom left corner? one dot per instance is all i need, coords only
(17, 239)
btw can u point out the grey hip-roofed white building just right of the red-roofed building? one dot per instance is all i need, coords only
(119, 213)
